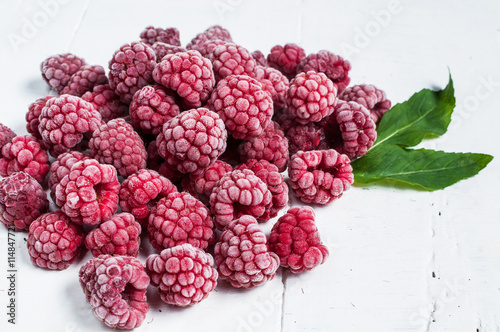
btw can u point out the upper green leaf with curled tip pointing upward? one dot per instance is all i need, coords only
(426, 113)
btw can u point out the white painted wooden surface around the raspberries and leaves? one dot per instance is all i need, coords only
(401, 260)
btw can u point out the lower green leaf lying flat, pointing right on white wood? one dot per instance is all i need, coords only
(429, 169)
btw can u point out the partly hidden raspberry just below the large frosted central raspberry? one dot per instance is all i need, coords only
(201, 185)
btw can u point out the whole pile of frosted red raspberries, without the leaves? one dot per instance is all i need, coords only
(194, 146)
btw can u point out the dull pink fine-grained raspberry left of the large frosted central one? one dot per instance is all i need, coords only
(117, 143)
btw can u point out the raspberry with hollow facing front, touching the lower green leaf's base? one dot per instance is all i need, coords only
(319, 176)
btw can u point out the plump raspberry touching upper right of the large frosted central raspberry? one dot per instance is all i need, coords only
(243, 105)
